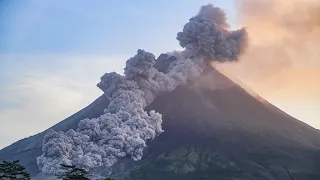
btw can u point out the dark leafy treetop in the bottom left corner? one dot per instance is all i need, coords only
(13, 171)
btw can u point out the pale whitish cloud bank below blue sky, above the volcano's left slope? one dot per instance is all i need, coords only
(37, 91)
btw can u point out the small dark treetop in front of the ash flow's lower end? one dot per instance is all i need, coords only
(73, 173)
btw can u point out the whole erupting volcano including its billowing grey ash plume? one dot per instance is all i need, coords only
(177, 117)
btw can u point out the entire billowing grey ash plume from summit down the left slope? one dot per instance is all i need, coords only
(125, 127)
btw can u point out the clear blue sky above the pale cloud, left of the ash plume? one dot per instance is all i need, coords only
(103, 27)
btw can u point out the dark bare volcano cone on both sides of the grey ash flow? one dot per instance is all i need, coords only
(213, 129)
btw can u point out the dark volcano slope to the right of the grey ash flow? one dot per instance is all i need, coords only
(247, 139)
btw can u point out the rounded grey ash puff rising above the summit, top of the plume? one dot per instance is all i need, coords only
(206, 35)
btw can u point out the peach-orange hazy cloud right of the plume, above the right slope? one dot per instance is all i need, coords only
(282, 63)
